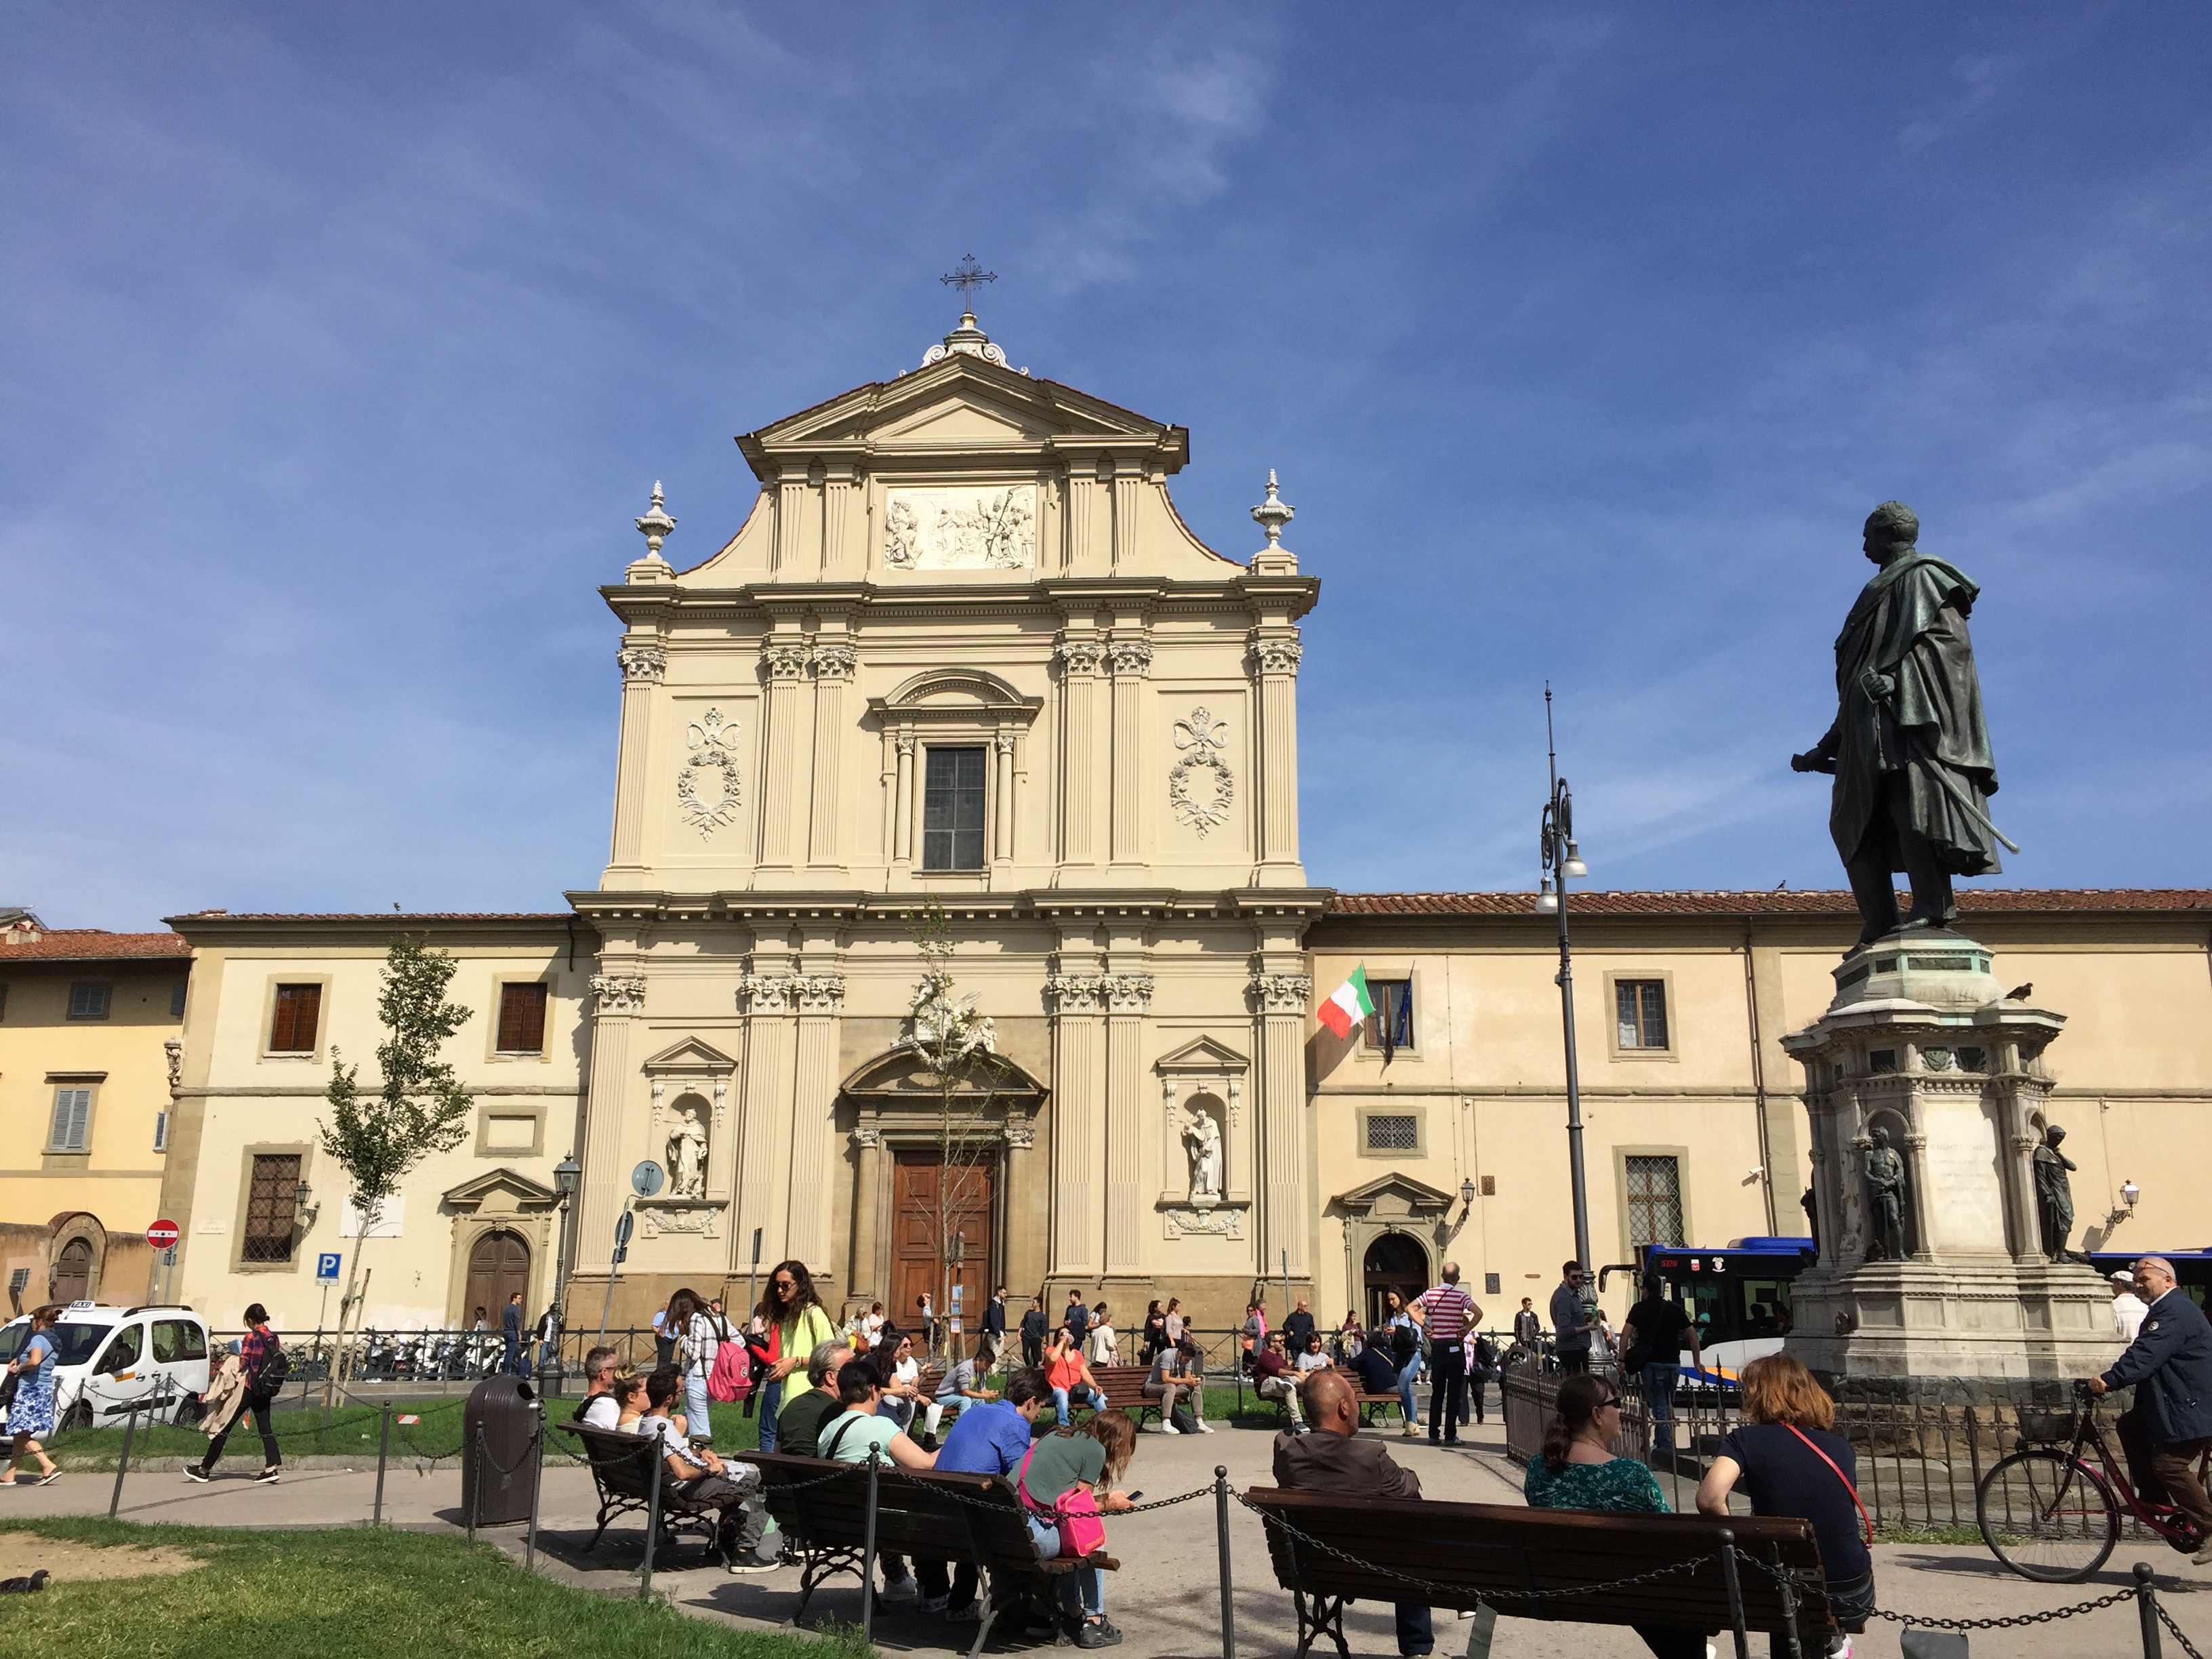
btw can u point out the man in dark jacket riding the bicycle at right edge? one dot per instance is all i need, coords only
(2171, 1421)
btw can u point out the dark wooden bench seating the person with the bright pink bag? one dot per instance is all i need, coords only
(939, 1519)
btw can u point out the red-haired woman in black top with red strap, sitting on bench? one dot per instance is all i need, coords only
(1793, 1463)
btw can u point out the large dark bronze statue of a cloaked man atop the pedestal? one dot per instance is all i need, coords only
(1908, 749)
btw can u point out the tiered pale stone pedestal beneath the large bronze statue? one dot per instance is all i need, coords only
(1923, 1047)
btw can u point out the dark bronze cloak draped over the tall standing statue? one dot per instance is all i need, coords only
(1910, 623)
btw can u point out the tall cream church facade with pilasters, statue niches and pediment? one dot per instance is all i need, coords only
(961, 651)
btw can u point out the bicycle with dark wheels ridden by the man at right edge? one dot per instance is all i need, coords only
(2054, 1516)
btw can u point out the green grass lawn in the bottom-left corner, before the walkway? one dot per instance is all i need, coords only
(351, 1596)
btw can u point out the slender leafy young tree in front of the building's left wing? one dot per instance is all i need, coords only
(417, 1109)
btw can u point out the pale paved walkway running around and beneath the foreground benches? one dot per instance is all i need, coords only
(1167, 1594)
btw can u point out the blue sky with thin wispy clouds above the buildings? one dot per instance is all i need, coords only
(342, 344)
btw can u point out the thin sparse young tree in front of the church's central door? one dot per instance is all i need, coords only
(961, 1056)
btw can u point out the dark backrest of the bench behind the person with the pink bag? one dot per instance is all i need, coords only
(952, 1516)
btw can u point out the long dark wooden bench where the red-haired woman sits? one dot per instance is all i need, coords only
(1499, 1554)
